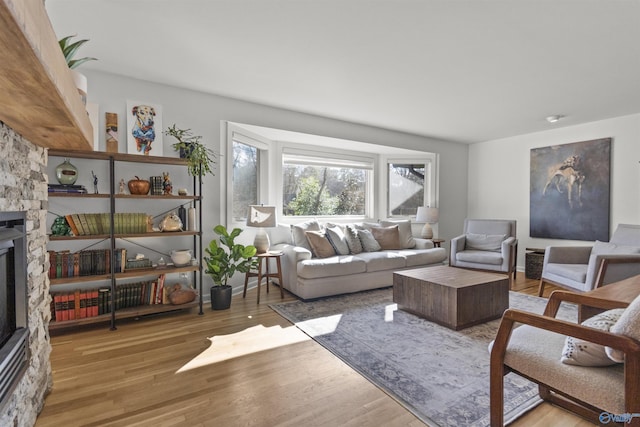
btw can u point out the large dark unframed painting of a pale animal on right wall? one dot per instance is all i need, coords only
(569, 191)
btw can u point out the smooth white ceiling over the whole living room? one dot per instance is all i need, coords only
(460, 70)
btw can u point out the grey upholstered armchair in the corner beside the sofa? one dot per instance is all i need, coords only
(486, 244)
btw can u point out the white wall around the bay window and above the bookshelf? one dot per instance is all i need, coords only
(203, 113)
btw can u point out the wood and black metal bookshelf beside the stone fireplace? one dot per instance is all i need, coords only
(114, 282)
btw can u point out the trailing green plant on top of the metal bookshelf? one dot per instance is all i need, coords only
(200, 158)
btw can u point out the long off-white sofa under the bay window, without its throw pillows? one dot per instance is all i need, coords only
(310, 277)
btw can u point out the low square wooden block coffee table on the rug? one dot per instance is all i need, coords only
(450, 296)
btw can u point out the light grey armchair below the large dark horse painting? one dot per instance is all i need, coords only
(584, 268)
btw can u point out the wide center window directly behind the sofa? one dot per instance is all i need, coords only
(314, 185)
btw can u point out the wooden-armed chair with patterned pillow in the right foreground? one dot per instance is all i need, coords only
(597, 386)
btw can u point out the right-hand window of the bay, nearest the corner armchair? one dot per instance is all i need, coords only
(409, 185)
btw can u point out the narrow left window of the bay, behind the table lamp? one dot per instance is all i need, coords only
(246, 159)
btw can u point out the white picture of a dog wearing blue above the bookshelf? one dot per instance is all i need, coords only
(144, 128)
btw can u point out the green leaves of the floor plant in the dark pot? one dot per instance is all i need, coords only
(223, 263)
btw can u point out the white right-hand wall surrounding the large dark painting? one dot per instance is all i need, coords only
(499, 175)
